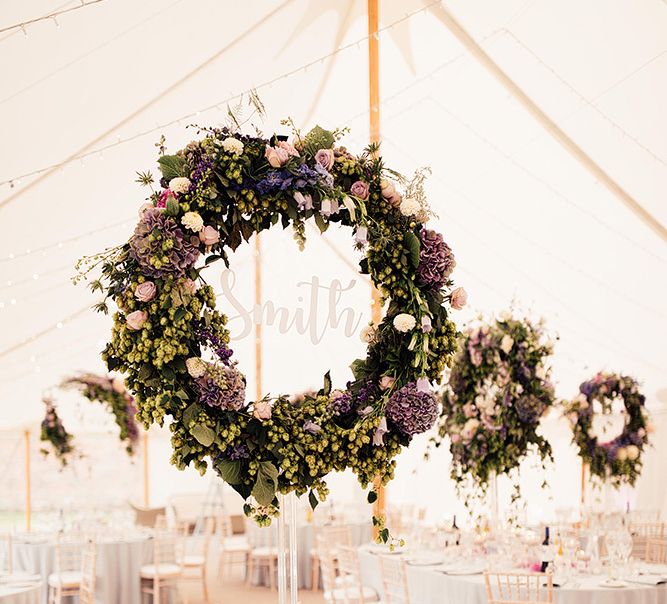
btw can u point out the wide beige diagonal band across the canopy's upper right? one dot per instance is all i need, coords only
(547, 123)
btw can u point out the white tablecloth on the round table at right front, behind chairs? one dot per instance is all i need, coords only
(429, 586)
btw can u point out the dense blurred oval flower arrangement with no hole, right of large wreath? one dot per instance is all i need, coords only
(499, 389)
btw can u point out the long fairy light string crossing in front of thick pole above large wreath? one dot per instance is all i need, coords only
(15, 181)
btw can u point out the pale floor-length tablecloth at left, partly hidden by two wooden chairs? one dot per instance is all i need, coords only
(117, 566)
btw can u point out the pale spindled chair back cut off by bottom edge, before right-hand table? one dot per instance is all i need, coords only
(519, 588)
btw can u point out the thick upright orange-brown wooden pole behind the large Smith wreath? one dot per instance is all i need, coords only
(379, 507)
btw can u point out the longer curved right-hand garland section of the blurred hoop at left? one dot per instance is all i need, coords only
(110, 391)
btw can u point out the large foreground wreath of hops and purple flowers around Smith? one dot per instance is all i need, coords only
(173, 345)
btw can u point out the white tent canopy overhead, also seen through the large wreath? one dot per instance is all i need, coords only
(526, 221)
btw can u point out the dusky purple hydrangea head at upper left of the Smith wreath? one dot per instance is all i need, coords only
(157, 236)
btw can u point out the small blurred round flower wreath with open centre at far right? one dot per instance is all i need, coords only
(619, 459)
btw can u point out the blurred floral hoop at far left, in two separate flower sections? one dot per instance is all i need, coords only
(106, 389)
